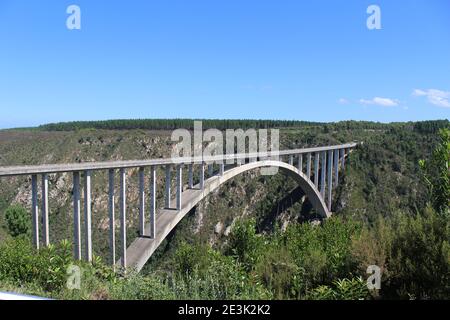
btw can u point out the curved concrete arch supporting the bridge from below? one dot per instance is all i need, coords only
(142, 248)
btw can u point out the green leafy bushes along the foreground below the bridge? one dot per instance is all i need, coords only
(304, 262)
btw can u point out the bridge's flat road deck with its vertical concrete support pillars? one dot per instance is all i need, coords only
(320, 159)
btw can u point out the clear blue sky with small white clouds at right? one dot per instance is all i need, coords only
(268, 59)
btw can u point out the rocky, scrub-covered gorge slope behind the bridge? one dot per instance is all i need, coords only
(380, 177)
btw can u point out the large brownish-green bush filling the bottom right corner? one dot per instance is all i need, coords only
(413, 252)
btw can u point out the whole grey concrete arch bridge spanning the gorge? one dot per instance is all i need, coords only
(316, 170)
